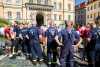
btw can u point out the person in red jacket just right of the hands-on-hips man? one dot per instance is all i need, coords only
(85, 36)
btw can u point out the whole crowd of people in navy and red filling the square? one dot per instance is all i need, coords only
(41, 43)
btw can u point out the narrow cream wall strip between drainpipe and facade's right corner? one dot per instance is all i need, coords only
(69, 9)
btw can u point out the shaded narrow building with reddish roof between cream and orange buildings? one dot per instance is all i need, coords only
(80, 13)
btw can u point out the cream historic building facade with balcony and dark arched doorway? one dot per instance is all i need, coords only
(37, 10)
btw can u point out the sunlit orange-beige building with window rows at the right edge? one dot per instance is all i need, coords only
(92, 11)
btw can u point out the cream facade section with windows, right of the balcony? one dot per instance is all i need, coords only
(62, 10)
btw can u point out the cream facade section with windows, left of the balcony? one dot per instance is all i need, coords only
(12, 7)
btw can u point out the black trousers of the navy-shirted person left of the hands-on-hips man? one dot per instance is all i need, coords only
(52, 53)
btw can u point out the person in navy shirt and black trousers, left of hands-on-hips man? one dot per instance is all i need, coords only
(50, 35)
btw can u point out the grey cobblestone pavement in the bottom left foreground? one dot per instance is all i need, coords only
(6, 62)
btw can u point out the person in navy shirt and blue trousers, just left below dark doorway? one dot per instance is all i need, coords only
(34, 36)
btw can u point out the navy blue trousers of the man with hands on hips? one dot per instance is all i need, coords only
(66, 57)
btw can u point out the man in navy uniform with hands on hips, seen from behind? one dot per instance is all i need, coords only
(68, 38)
